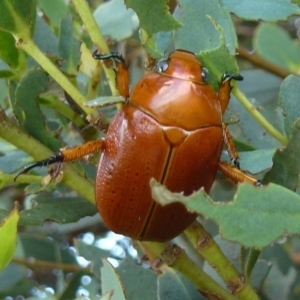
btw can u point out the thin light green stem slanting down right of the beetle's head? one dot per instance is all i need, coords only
(259, 117)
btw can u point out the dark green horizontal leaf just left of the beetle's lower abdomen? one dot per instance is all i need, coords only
(60, 210)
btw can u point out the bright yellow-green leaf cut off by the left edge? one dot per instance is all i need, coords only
(8, 235)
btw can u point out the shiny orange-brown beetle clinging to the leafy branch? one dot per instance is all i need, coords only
(170, 128)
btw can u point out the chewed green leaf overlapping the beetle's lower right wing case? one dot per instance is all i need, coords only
(256, 217)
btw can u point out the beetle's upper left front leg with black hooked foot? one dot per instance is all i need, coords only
(122, 74)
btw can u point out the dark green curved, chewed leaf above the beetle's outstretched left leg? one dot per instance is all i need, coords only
(32, 84)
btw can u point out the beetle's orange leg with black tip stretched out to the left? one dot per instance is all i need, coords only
(67, 154)
